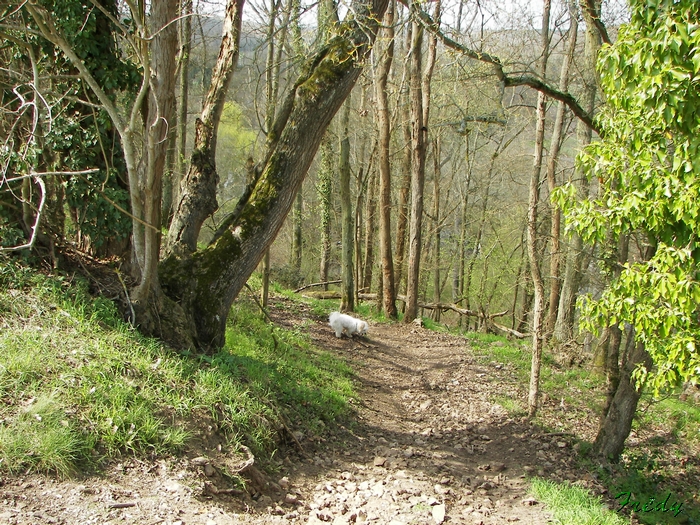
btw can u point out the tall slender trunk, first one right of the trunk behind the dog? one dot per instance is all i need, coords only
(388, 292)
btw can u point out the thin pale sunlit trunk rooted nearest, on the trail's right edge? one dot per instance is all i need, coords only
(532, 242)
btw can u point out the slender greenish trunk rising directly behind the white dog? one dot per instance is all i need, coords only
(347, 301)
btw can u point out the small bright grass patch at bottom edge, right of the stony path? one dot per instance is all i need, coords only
(572, 505)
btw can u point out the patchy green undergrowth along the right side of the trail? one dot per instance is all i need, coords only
(660, 458)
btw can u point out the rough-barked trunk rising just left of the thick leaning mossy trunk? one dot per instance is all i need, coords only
(198, 197)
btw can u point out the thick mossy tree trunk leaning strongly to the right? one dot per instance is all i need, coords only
(207, 281)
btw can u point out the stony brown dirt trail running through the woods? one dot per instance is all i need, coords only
(428, 447)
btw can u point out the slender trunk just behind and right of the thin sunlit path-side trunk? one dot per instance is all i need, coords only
(556, 142)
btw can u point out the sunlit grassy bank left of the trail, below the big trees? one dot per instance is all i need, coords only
(80, 387)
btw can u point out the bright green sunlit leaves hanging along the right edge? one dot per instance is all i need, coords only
(648, 164)
